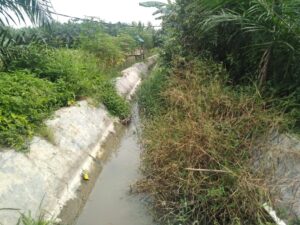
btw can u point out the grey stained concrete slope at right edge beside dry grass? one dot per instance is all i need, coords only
(279, 160)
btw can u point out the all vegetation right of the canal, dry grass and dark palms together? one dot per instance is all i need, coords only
(229, 77)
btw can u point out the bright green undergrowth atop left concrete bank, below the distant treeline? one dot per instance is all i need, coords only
(39, 80)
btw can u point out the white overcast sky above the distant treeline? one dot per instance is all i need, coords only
(108, 10)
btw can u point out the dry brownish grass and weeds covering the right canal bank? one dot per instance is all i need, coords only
(198, 134)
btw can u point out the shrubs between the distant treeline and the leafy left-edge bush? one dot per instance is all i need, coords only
(76, 71)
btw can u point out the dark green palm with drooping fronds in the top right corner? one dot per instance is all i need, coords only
(272, 31)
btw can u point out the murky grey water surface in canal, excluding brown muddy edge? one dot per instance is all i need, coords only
(109, 202)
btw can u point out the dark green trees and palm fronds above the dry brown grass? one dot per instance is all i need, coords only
(257, 41)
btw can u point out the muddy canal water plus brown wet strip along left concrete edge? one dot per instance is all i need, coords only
(106, 198)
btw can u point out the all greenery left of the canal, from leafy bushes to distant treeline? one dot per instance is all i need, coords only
(47, 69)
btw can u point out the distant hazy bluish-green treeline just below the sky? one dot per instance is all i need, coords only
(71, 34)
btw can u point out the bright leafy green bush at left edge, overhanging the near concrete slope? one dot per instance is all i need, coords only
(25, 101)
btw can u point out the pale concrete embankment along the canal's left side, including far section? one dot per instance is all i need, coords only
(49, 175)
